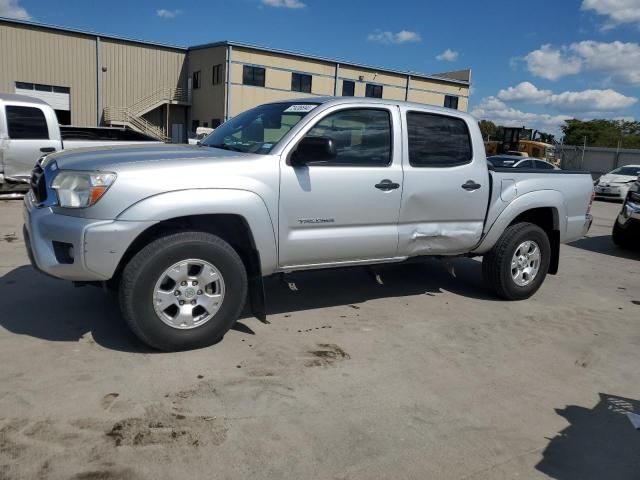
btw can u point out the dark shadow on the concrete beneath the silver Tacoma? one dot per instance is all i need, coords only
(42, 307)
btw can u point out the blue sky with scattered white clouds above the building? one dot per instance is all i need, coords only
(578, 58)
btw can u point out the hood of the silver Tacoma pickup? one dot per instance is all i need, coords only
(124, 157)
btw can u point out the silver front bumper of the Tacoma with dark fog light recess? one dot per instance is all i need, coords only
(97, 246)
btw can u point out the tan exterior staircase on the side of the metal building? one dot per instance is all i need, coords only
(132, 116)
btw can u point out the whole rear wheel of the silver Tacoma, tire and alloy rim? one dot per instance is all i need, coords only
(518, 263)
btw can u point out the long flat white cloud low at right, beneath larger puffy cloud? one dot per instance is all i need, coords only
(583, 101)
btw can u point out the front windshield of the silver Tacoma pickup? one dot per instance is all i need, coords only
(258, 130)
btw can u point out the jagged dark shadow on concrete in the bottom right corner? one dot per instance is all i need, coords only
(598, 443)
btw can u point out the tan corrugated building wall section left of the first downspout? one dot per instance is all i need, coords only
(33, 55)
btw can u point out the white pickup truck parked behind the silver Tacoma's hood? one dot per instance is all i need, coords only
(29, 127)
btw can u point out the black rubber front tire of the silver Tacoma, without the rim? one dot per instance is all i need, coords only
(143, 270)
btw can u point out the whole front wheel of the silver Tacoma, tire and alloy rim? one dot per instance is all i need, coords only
(183, 291)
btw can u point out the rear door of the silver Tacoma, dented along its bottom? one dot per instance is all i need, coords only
(446, 184)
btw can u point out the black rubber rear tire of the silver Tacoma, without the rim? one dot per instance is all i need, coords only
(496, 264)
